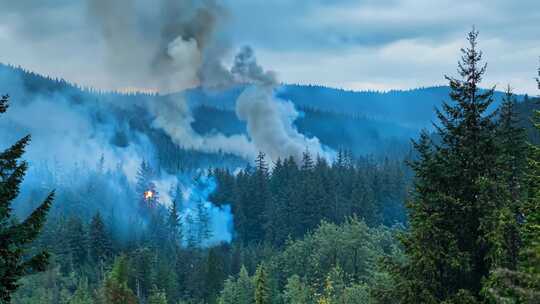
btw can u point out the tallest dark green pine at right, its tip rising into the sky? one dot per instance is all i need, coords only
(456, 199)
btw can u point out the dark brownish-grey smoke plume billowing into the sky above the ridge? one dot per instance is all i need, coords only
(161, 45)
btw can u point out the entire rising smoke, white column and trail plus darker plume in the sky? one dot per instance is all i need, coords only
(189, 54)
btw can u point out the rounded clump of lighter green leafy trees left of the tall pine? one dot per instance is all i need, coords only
(352, 245)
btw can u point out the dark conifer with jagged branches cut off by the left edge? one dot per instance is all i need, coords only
(15, 237)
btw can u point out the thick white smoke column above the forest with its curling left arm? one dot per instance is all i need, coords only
(270, 121)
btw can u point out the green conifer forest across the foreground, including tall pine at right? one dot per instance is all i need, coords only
(314, 232)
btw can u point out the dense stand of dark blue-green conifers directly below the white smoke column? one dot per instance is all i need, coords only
(294, 197)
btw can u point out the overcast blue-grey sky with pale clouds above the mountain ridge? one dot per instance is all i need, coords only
(363, 44)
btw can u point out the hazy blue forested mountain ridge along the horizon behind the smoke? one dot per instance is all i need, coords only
(379, 123)
